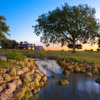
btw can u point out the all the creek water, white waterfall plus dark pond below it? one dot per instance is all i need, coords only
(80, 86)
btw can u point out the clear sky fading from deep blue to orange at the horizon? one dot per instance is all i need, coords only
(21, 15)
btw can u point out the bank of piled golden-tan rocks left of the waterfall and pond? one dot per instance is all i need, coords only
(15, 82)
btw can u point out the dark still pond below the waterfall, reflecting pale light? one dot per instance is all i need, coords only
(80, 88)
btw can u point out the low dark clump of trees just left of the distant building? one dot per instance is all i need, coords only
(9, 44)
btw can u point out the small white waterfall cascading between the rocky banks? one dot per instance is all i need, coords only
(48, 67)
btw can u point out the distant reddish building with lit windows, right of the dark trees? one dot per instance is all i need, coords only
(26, 45)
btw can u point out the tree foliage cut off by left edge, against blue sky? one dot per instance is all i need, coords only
(4, 29)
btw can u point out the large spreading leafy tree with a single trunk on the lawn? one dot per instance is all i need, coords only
(68, 25)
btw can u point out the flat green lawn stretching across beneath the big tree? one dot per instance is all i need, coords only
(80, 55)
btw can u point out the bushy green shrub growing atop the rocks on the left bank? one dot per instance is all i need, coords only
(15, 55)
